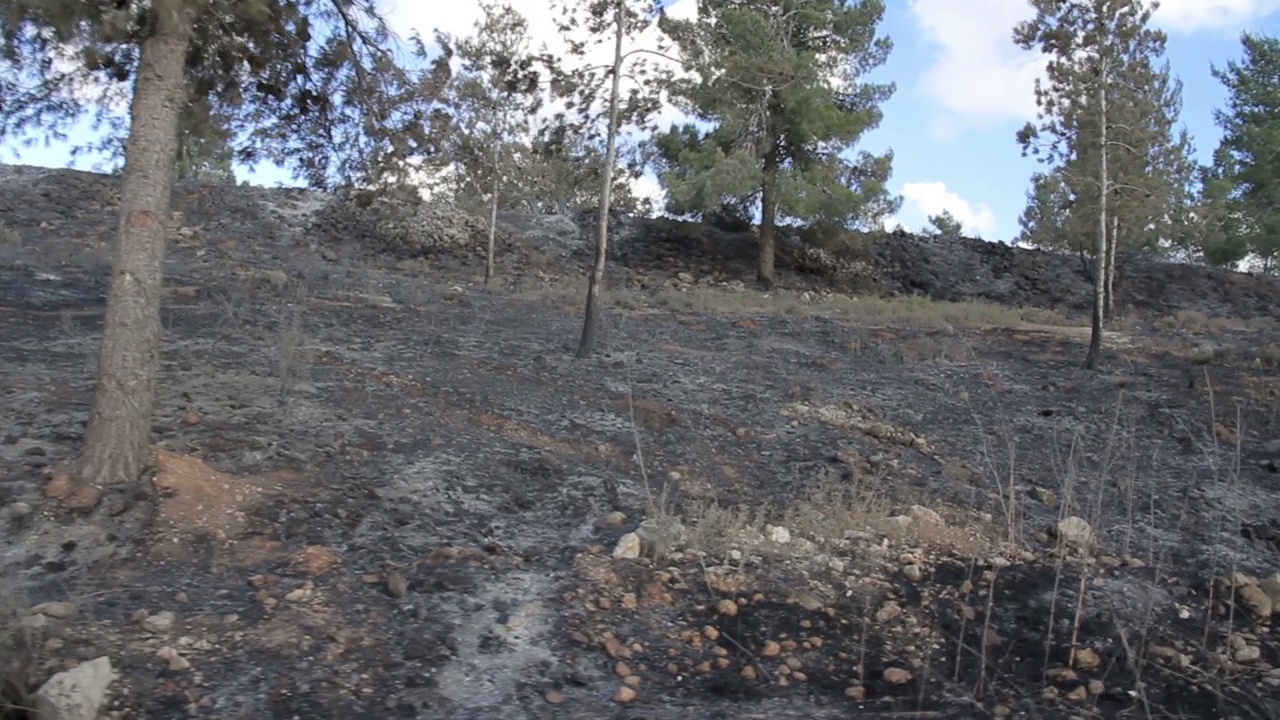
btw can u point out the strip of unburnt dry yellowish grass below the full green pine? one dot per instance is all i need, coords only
(915, 312)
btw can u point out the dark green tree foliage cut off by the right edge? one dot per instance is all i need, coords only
(1247, 166)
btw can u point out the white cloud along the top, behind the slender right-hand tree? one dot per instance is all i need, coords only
(980, 79)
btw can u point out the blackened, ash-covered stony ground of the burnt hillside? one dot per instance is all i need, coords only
(387, 491)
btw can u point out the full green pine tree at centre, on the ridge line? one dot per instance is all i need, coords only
(781, 83)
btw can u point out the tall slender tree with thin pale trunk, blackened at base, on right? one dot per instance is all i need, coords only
(1098, 130)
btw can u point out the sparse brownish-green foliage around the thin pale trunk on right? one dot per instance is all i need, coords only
(1151, 172)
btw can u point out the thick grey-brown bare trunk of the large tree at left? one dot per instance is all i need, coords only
(118, 441)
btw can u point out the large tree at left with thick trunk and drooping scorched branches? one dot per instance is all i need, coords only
(309, 84)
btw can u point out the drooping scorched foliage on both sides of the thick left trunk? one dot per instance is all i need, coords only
(312, 85)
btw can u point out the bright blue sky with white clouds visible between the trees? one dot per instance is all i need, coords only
(963, 92)
